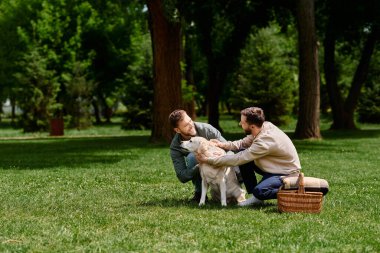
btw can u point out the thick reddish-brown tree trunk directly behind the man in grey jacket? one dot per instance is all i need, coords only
(166, 41)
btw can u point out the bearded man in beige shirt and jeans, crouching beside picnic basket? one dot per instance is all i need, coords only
(271, 150)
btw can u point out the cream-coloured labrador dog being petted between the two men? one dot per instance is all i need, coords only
(222, 180)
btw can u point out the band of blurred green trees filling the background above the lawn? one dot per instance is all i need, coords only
(86, 61)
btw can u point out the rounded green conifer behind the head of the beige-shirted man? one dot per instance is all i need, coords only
(266, 76)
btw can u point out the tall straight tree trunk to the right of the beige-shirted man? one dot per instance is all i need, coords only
(308, 118)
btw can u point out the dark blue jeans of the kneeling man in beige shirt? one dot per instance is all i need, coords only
(267, 188)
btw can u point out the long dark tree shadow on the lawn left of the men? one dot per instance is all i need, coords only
(71, 152)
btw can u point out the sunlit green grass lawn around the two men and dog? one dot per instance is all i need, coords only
(108, 190)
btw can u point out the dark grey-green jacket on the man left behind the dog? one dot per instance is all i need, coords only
(178, 154)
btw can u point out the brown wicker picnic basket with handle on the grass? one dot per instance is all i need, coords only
(299, 200)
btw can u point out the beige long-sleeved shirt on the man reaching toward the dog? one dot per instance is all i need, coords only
(271, 150)
